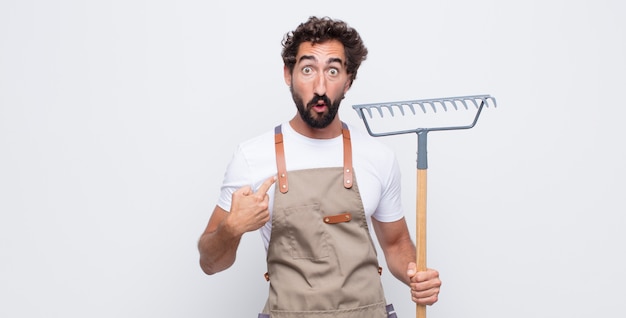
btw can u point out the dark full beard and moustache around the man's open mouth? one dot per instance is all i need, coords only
(310, 116)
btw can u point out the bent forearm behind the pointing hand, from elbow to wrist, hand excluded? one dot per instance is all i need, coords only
(218, 248)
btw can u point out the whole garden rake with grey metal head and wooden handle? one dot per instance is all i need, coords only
(373, 116)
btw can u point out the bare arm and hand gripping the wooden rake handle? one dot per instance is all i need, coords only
(399, 251)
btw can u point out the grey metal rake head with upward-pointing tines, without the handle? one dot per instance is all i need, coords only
(449, 113)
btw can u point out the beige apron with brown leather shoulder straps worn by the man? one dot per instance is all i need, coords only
(321, 259)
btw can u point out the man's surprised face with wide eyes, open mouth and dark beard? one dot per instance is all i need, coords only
(319, 81)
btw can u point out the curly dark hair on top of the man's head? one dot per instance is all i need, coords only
(318, 30)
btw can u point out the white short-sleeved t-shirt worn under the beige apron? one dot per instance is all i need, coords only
(375, 168)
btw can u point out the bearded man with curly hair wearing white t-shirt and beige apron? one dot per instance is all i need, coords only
(298, 185)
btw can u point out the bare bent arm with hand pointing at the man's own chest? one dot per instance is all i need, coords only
(220, 240)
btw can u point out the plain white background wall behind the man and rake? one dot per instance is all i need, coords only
(117, 119)
